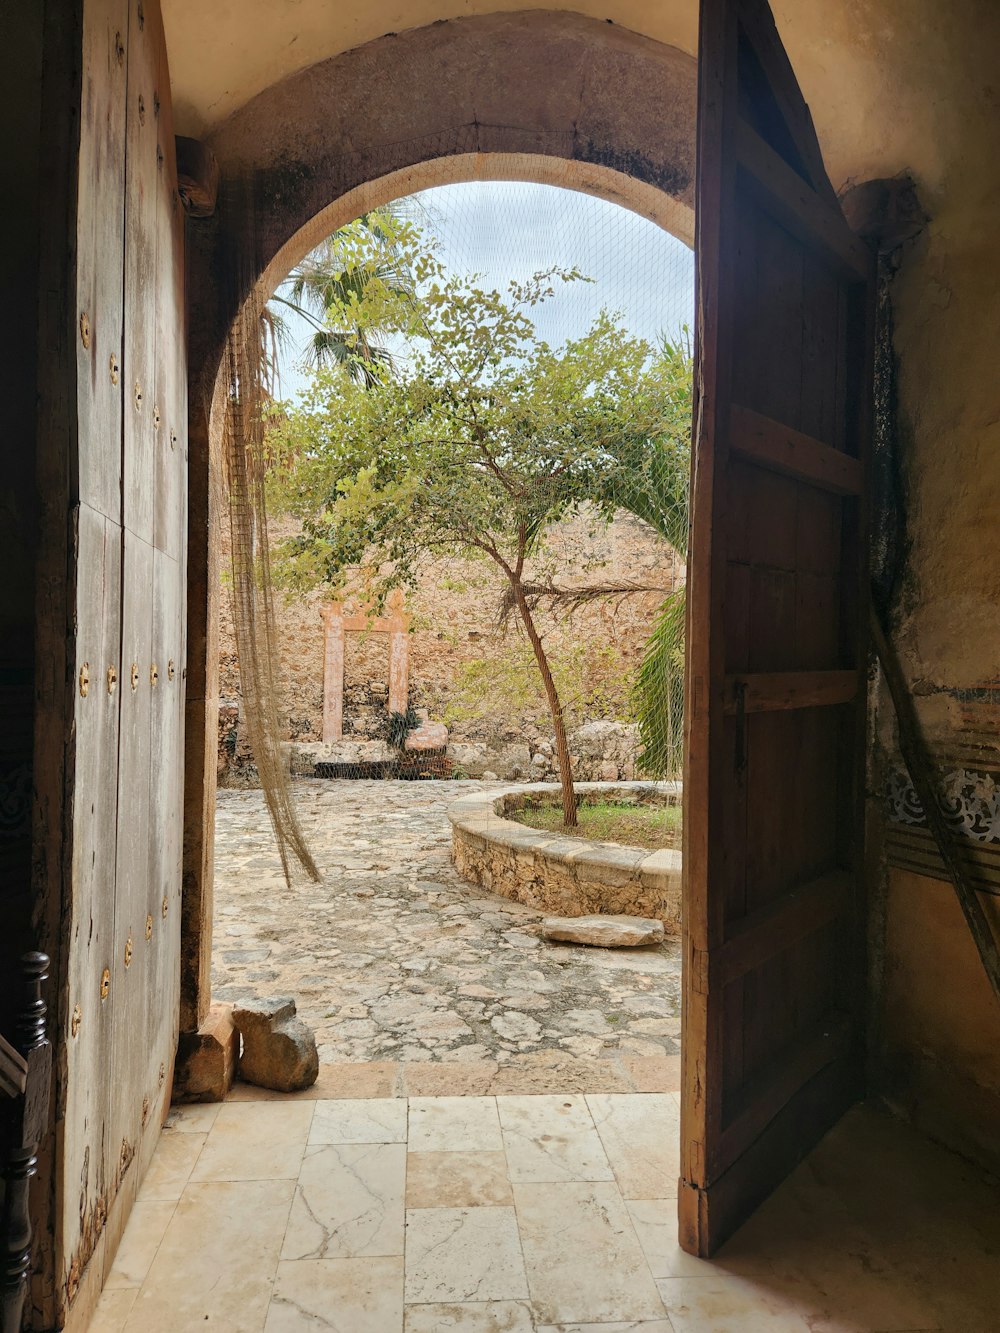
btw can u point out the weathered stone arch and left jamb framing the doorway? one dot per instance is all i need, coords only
(550, 98)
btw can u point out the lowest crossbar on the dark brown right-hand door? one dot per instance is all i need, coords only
(771, 1091)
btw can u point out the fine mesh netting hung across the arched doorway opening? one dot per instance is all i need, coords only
(479, 493)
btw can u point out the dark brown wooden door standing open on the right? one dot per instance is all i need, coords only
(774, 982)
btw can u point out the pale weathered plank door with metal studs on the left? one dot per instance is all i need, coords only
(123, 730)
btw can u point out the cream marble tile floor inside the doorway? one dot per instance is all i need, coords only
(549, 1214)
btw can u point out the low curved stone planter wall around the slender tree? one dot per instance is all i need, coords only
(566, 876)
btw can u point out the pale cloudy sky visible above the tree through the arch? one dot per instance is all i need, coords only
(511, 230)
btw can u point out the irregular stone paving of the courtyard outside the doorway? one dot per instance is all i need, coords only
(393, 958)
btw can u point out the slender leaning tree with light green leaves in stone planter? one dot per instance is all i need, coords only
(483, 441)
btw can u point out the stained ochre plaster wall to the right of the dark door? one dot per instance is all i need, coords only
(939, 1026)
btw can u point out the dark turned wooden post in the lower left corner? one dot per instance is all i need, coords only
(25, 1127)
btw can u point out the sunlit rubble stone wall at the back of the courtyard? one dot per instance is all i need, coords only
(493, 728)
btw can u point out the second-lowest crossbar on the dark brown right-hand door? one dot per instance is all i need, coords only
(781, 926)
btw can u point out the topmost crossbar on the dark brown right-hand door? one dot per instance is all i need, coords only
(790, 201)
